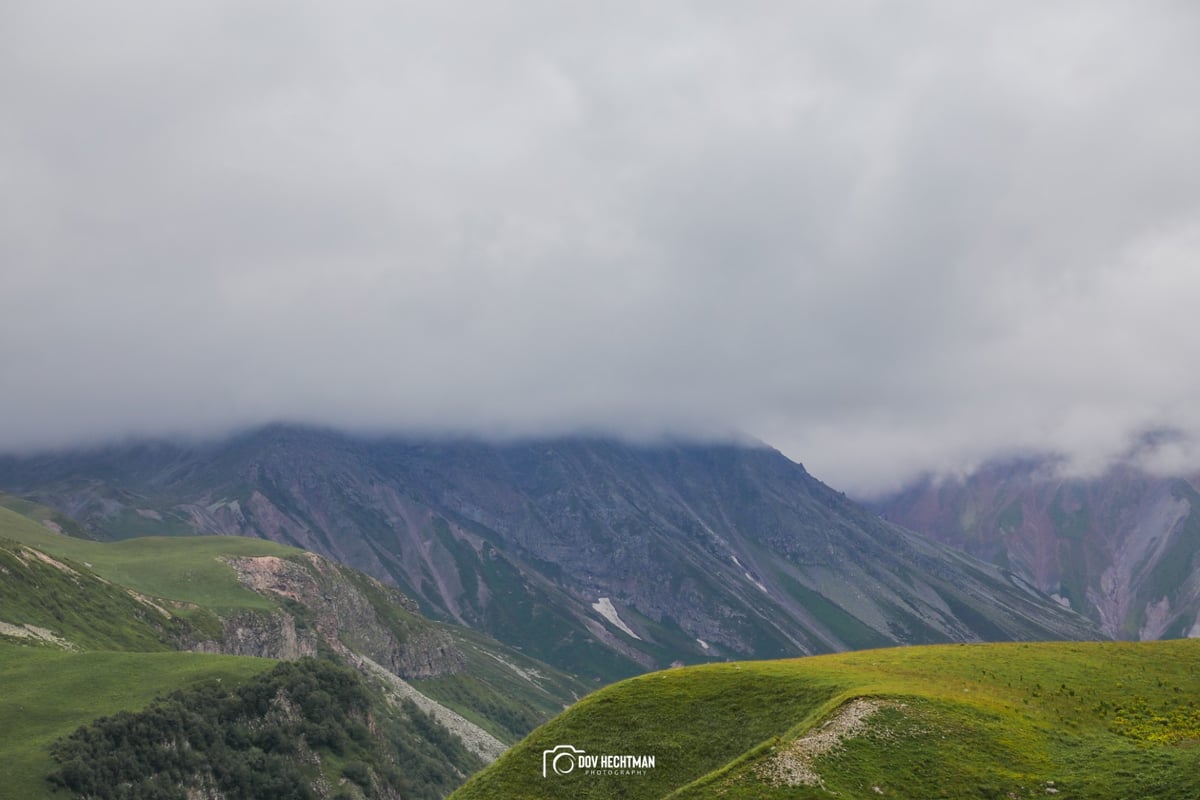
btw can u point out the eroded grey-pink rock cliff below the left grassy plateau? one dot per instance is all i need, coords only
(356, 615)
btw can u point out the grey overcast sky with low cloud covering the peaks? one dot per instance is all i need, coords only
(884, 238)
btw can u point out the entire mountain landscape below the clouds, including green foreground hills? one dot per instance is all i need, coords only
(589, 561)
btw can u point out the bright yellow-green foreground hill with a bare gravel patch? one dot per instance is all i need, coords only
(1100, 720)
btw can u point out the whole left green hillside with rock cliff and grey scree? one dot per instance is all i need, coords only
(88, 629)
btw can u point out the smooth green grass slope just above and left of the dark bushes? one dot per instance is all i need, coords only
(49, 694)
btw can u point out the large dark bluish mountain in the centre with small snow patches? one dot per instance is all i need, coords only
(598, 557)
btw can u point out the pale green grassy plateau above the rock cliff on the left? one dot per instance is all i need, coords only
(182, 569)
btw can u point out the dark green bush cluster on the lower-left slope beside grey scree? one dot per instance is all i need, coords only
(260, 741)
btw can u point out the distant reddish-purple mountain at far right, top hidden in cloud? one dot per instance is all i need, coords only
(1123, 549)
